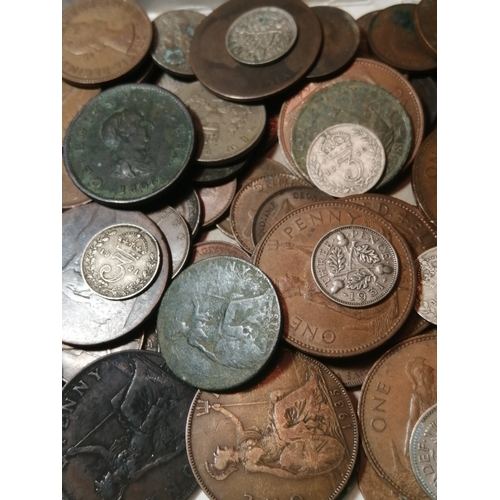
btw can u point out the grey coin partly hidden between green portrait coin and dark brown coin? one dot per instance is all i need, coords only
(226, 130)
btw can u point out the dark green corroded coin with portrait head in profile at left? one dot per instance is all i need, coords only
(129, 144)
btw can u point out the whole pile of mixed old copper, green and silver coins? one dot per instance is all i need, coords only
(249, 305)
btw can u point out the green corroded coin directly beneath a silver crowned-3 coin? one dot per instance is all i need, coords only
(359, 103)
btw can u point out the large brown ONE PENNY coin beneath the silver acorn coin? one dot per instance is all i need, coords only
(312, 322)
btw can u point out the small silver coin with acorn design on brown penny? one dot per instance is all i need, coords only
(354, 266)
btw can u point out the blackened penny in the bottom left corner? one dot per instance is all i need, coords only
(124, 419)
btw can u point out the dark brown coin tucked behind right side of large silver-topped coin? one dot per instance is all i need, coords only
(340, 41)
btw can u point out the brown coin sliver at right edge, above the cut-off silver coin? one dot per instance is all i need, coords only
(424, 177)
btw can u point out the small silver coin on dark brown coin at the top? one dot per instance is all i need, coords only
(261, 36)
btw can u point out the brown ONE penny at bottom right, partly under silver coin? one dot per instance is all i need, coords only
(398, 389)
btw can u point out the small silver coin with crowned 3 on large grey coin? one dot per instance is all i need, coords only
(120, 261)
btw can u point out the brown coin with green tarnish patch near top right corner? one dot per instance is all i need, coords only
(393, 37)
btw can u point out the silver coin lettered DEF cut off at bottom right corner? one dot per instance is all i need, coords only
(423, 451)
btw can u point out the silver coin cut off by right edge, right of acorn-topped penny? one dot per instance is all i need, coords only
(426, 302)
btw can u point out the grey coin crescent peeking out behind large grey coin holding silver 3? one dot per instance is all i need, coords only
(177, 234)
